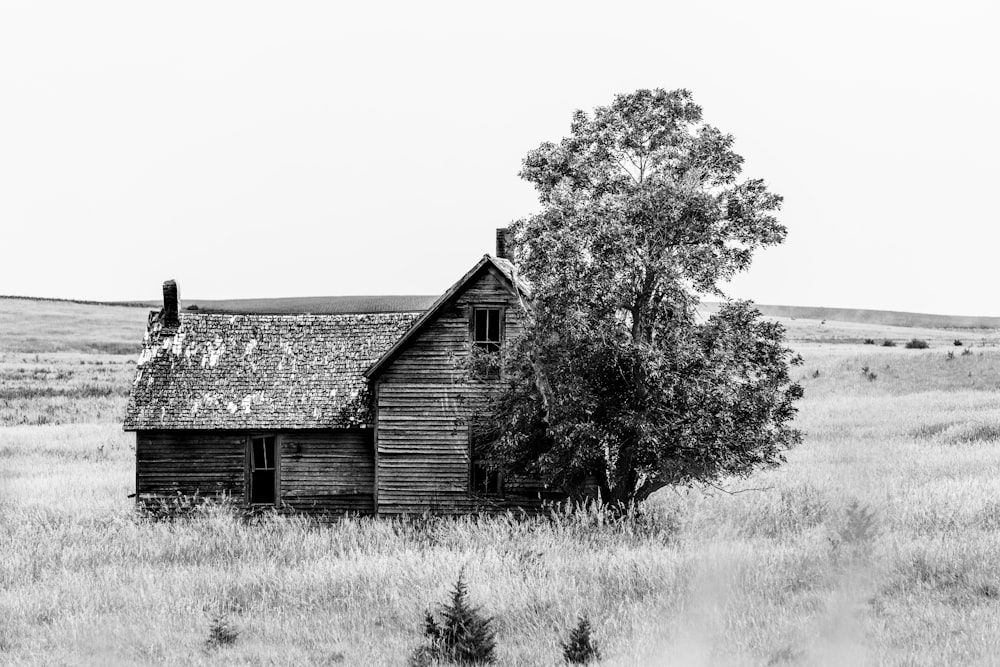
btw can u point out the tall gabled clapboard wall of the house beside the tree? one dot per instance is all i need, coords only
(424, 406)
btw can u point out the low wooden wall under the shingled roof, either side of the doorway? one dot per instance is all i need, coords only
(319, 471)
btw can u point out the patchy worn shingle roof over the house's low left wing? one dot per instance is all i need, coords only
(252, 371)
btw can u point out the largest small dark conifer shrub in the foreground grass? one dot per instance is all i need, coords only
(464, 636)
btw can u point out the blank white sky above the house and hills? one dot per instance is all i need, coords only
(253, 149)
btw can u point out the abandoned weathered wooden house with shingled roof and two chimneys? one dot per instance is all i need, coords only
(326, 411)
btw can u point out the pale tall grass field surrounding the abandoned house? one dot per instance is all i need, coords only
(877, 543)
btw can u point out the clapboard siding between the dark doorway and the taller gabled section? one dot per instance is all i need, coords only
(328, 471)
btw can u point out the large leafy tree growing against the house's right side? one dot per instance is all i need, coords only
(619, 378)
